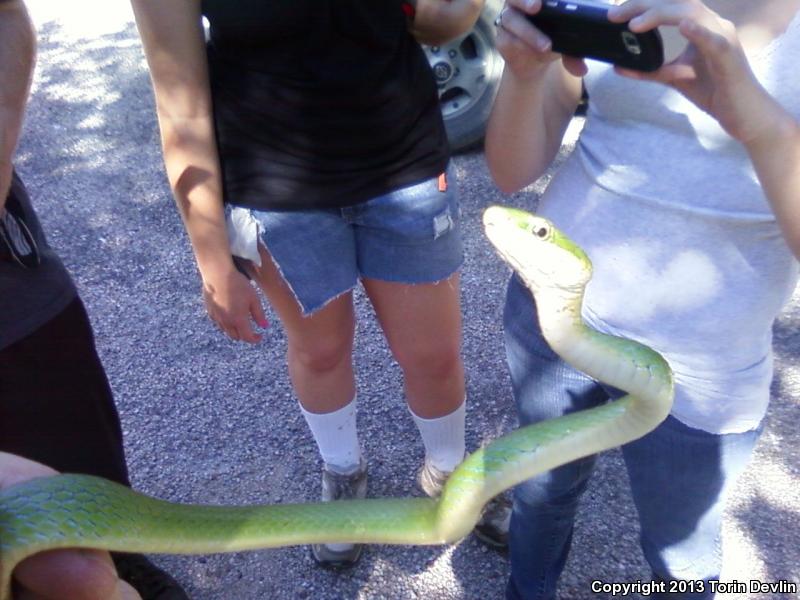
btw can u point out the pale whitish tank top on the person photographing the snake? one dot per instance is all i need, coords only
(687, 254)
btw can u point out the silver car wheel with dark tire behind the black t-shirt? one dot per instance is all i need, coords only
(467, 72)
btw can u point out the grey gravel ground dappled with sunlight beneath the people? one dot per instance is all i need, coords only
(208, 420)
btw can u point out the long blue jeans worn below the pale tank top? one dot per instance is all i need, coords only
(679, 476)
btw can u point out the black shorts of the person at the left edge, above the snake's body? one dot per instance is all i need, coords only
(56, 406)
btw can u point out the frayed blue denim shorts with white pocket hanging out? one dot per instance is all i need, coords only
(411, 235)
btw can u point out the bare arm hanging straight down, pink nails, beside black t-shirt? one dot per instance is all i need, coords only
(172, 35)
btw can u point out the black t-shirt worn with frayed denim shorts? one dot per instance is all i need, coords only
(320, 103)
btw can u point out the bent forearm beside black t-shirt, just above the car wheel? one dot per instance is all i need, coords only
(439, 21)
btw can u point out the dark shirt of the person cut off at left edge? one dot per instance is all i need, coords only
(30, 297)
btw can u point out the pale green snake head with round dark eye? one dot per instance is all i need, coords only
(537, 250)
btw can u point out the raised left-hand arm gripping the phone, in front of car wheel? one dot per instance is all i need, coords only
(538, 95)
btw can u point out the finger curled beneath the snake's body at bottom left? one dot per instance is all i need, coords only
(73, 574)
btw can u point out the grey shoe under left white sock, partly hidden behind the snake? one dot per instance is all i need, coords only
(336, 486)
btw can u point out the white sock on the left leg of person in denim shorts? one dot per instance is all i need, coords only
(336, 437)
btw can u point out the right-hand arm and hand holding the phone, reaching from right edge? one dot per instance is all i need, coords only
(713, 72)
